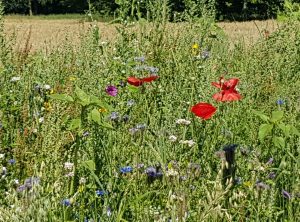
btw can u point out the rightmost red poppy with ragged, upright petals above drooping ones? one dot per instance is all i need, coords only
(228, 91)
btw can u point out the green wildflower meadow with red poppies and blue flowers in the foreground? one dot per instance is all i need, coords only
(165, 122)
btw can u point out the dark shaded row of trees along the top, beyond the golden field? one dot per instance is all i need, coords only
(223, 9)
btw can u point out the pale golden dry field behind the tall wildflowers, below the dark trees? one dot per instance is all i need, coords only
(46, 34)
